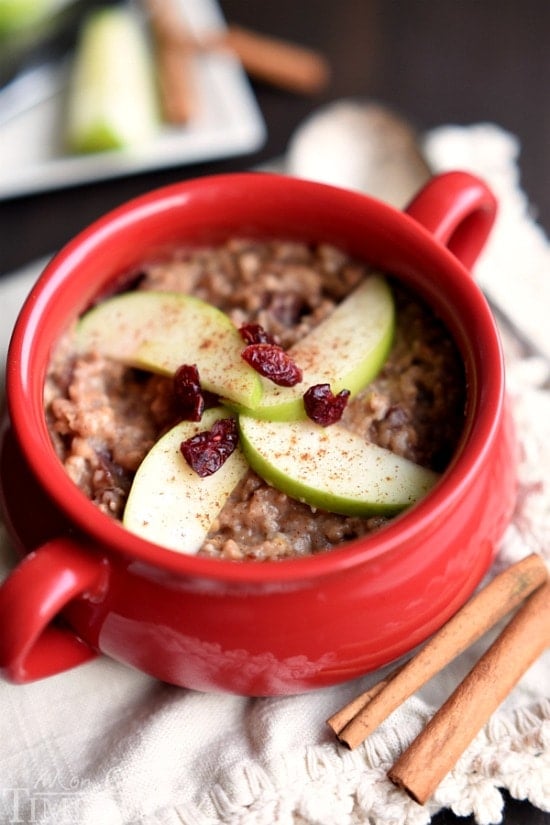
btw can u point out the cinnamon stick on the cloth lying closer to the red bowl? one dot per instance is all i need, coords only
(505, 592)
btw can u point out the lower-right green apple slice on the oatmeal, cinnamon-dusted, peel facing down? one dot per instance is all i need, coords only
(332, 468)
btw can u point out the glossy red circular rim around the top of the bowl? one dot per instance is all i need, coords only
(479, 432)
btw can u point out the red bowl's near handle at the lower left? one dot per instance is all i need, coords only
(43, 583)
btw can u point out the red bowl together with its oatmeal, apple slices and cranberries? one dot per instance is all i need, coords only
(267, 272)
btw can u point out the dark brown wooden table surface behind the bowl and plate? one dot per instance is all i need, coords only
(435, 61)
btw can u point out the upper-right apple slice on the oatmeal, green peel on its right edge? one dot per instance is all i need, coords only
(346, 351)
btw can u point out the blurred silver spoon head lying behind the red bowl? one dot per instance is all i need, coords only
(360, 145)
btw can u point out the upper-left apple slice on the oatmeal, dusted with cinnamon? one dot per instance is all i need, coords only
(160, 331)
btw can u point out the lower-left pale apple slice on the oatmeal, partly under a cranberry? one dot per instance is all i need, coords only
(169, 504)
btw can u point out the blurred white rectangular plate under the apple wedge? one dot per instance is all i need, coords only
(228, 123)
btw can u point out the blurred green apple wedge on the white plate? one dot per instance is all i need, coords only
(112, 101)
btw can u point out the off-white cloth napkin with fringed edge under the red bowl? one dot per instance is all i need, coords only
(105, 744)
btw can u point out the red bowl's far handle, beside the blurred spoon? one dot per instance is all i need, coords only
(459, 210)
